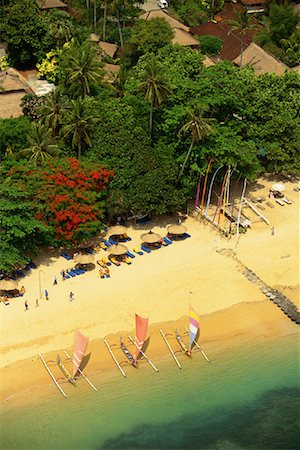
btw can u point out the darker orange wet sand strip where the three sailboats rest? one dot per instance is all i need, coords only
(222, 330)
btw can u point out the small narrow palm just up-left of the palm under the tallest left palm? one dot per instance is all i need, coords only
(53, 110)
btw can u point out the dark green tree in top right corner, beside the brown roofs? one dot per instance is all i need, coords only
(283, 22)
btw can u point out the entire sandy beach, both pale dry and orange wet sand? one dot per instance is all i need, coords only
(159, 286)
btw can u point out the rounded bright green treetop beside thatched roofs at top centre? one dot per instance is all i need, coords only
(151, 35)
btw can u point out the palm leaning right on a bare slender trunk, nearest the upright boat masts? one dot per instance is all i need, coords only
(198, 127)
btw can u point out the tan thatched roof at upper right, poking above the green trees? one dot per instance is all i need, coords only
(261, 61)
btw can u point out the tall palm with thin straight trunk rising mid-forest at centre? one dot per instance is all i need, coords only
(155, 87)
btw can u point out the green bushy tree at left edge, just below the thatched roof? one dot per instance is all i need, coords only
(13, 134)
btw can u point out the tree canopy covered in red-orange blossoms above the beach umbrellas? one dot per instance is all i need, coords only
(71, 199)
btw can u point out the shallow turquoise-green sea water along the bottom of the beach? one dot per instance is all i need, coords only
(248, 398)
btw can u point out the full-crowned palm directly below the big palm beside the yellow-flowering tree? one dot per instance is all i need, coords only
(79, 124)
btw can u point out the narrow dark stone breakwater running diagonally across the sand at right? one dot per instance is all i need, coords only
(284, 303)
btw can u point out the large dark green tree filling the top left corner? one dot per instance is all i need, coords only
(24, 28)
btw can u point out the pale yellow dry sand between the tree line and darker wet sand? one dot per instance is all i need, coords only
(159, 285)
